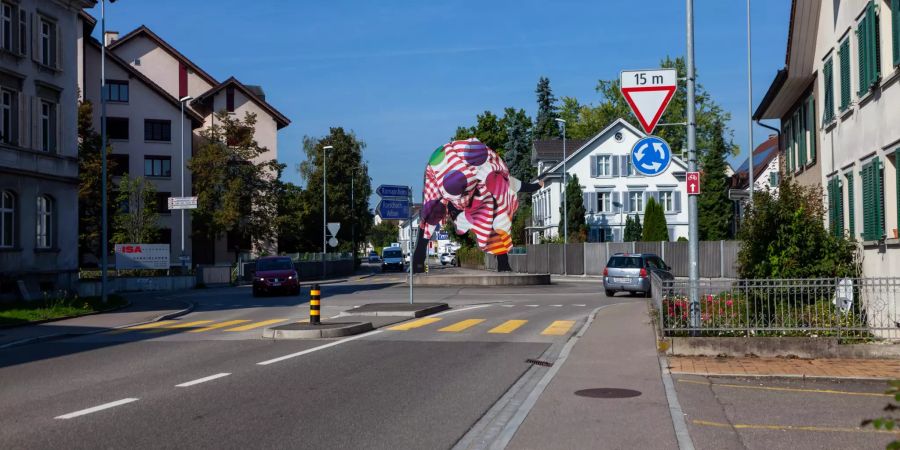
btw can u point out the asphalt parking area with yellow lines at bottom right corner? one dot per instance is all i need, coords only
(794, 413)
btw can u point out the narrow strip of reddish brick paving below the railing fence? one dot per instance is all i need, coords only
(875, 369)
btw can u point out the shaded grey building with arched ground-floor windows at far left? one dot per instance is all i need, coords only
(38, 142)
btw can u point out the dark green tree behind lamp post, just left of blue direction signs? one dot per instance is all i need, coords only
(344, 162)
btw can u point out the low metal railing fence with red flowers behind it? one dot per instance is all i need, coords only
(850, 308)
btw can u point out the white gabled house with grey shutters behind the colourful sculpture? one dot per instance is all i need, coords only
(610, 185)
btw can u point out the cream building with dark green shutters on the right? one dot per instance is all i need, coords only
(843, 76)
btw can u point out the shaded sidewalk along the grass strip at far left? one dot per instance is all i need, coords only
(145, 307)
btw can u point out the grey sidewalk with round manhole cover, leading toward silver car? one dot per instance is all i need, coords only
(618, 351)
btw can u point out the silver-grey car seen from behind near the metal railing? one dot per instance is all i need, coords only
(630, 272)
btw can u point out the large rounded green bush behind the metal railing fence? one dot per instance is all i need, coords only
(784, 236)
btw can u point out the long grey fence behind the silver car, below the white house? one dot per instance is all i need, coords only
(718, 259)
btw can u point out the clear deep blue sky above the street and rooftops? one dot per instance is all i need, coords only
(402, 75)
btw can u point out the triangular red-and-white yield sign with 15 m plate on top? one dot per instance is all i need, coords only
(648, 92)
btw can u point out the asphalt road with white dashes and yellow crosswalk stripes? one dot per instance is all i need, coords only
(419, 384)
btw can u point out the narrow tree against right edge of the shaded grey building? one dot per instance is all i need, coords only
(90, 188)
